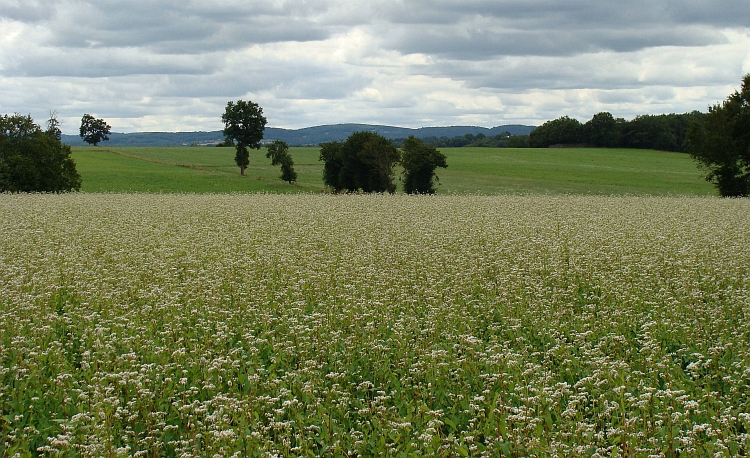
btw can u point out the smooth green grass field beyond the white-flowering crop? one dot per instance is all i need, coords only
(470, 170)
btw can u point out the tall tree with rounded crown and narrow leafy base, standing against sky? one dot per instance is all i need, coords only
(243, 125)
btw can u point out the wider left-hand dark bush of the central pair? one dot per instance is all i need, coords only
(365, 161)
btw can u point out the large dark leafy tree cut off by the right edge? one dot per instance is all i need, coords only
(720, 142)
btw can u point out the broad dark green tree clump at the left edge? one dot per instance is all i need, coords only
(33, 160)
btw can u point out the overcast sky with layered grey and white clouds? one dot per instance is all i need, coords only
(172, 65)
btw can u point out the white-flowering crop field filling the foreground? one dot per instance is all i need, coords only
(320, 325)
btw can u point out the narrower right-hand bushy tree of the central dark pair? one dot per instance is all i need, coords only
(420, 161)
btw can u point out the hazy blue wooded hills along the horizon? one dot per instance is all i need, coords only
(305, 136)
